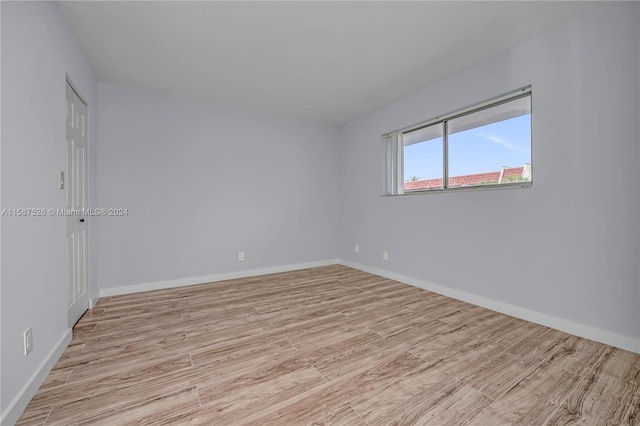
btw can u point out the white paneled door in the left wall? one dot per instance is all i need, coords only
(77, 202)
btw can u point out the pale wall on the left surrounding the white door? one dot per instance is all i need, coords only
(38, 52)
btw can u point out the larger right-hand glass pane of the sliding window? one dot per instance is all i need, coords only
(491, 146)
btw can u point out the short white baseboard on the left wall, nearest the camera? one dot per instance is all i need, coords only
(15, 409)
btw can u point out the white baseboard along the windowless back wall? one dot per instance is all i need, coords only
(161, 285)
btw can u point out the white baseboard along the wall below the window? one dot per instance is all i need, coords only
(567, 326)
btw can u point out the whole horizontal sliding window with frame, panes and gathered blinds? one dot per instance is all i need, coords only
(487, 145)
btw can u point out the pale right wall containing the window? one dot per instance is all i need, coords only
(568, 247)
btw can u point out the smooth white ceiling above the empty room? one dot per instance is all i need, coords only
(327, 62)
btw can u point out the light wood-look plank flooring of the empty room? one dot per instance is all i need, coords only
(327, 346)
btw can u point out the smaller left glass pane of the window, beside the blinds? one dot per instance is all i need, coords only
(423, 158)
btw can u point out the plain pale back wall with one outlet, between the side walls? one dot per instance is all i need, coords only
(202, 182)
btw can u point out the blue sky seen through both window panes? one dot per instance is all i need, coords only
(478, 150)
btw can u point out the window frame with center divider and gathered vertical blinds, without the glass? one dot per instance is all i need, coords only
(394, 149)
